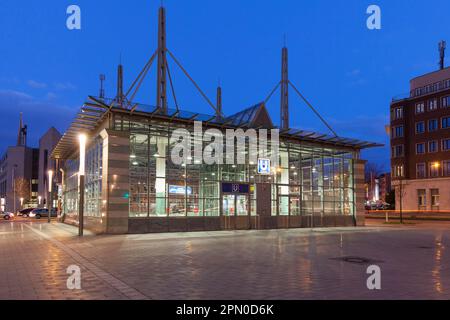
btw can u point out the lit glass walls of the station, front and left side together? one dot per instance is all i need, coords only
(309, 180)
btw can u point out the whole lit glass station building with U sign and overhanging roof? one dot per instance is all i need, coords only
(132, 185)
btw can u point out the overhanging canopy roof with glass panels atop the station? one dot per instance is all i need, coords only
(94, 112)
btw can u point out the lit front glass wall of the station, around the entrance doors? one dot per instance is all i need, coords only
(308, 180)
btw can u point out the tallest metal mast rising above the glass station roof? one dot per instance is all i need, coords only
(161, 90)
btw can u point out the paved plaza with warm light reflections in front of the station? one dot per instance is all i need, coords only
(279, 264)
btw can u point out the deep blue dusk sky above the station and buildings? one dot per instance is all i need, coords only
(348, 72)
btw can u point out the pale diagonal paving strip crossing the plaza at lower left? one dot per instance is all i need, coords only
(119, 285)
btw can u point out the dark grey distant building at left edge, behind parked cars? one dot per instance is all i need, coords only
(22, 181)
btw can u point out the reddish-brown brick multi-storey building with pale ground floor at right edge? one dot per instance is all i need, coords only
(420, 143)
